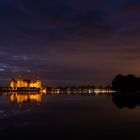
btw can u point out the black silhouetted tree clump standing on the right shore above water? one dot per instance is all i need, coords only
(128, 83)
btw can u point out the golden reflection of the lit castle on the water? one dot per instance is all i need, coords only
(21, 98)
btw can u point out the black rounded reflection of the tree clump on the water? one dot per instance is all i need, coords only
(126, 100)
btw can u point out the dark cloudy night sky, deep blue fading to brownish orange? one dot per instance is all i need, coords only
(69, 42)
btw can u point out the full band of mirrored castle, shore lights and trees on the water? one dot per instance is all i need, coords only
(120, 100)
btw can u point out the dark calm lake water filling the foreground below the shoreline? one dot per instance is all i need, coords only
(69, 117)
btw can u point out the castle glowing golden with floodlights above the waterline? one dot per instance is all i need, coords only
(21, 83)
